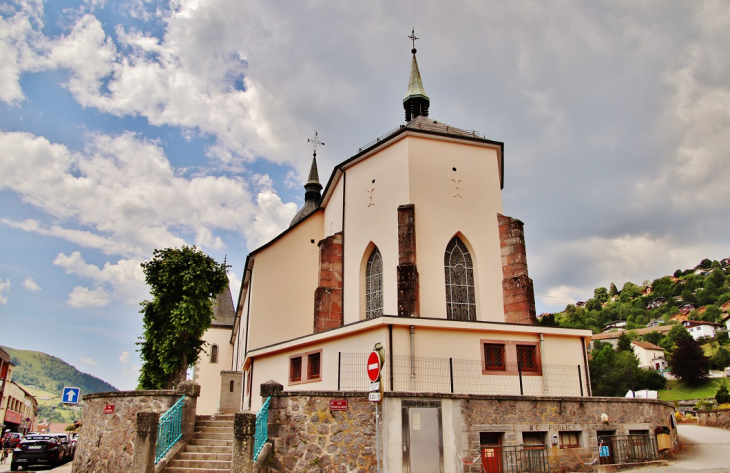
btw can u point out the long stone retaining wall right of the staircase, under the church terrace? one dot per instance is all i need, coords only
(308, 436)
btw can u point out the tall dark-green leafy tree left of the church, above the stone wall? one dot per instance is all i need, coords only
(182, 283)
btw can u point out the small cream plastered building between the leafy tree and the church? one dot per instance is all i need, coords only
(207, 374)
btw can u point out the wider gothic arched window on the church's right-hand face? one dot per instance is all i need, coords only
(460, 301)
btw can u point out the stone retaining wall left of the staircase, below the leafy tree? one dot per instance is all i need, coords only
(106, 441)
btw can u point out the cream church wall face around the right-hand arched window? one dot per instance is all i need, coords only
(440, 214)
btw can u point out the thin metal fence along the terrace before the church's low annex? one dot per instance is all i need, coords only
(448, 375)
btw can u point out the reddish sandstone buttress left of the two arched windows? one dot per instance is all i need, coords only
(328, 295)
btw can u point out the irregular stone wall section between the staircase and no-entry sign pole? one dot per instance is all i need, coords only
(307, 436)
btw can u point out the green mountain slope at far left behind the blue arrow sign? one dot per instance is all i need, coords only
(51, 374)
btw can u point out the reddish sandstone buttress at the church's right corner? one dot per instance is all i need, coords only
(517, 288)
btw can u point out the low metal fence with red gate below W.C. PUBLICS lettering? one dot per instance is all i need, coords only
(513, 459)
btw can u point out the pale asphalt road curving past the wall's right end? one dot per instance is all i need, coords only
(706, 449)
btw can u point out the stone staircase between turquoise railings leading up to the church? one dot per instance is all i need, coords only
(210, 449)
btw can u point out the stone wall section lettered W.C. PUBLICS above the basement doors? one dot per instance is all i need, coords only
(513, 415)
